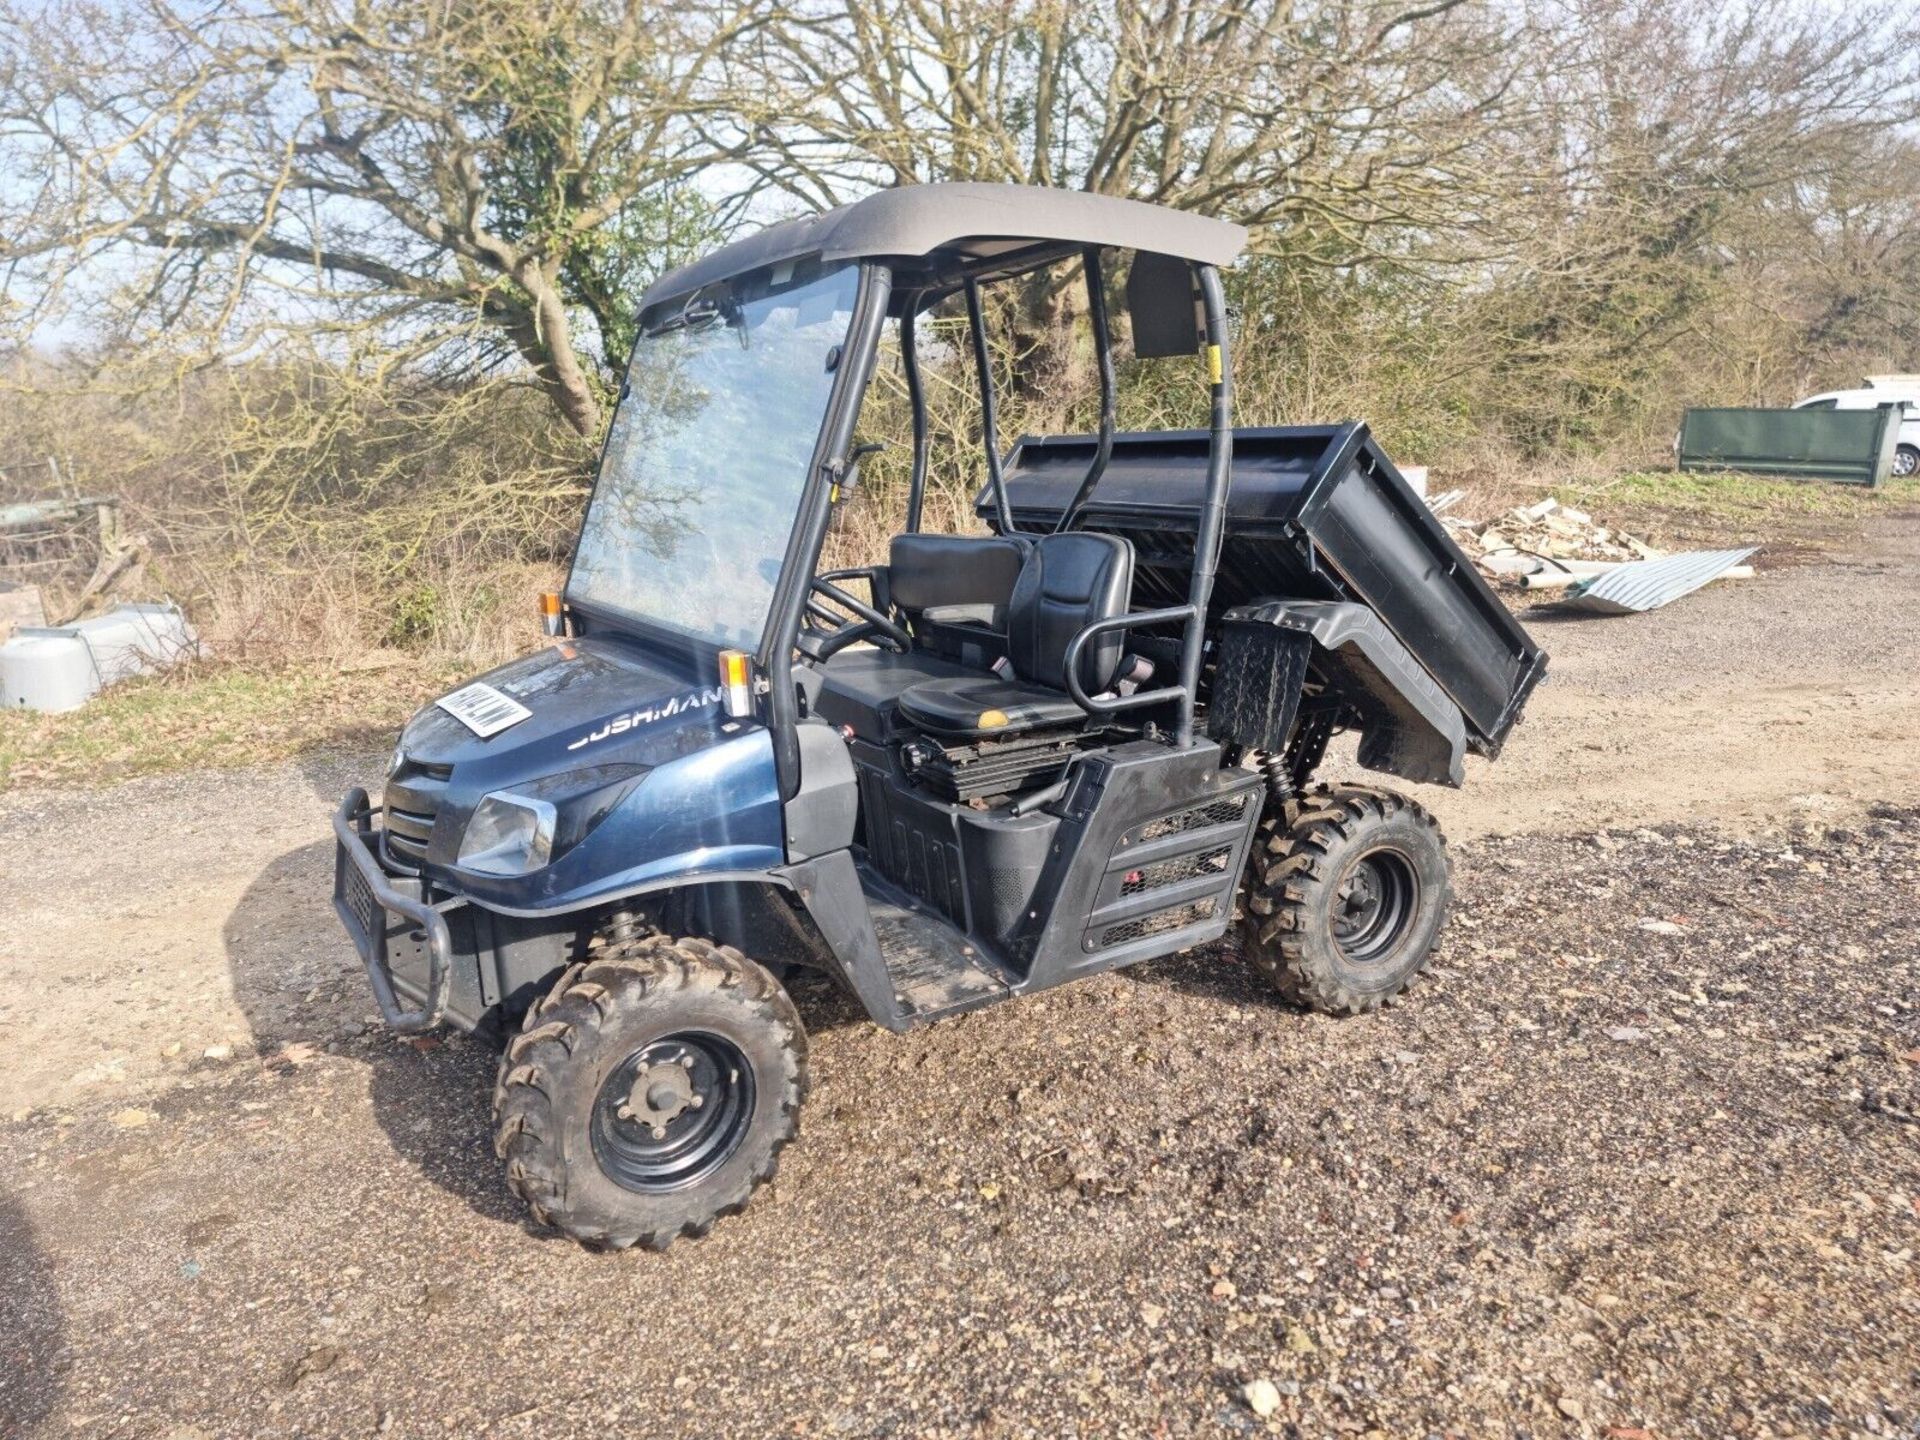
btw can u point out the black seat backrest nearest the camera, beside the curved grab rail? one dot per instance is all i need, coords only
(1068, 583)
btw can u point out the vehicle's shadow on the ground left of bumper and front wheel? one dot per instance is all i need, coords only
(299, 982)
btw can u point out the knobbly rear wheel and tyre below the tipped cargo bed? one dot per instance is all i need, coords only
(1347, 894)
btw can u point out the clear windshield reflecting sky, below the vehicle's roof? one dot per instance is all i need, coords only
(708, 458)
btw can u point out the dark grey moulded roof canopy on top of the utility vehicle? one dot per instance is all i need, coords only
(961, 229)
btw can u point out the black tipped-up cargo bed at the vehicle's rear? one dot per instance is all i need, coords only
(1316, 514)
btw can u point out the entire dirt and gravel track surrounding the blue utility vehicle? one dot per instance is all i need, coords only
(1593, 1176)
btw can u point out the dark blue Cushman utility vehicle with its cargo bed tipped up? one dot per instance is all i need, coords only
(988, 767)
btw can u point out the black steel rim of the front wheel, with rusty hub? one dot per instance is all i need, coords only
(681, 1132)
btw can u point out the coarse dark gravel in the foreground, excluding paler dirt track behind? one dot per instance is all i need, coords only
(1641, 1157)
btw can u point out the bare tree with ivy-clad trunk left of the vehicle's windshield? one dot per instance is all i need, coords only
(448, 178)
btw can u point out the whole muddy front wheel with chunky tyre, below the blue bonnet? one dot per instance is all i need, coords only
(650, 1092)
